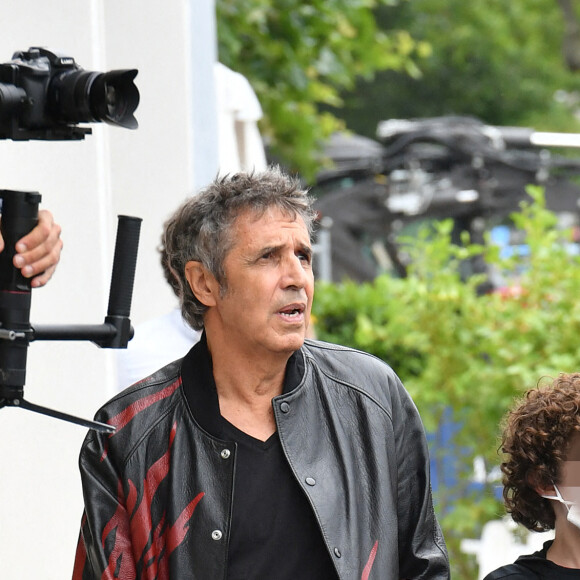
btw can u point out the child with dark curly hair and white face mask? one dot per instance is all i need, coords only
(541, 478)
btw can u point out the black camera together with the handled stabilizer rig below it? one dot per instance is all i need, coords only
(45, 95)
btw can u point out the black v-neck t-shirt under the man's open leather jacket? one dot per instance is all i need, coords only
(274, 532)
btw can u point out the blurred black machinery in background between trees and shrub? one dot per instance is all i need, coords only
(430, 169)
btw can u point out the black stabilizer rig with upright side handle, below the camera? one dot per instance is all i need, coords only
(19, 216)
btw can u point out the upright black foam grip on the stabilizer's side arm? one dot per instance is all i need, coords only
(124, 262)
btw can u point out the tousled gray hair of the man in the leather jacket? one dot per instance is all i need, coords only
(201, 228)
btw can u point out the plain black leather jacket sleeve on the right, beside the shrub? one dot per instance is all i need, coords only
(422, 551)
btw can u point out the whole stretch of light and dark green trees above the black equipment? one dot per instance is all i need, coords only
(320, 66)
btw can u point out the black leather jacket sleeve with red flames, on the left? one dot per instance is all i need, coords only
(104, 548)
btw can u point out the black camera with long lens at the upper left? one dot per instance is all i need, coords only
(44, 95)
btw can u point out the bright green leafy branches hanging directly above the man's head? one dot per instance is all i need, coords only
(299, 55)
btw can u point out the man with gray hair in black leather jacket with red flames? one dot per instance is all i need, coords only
(261, 454)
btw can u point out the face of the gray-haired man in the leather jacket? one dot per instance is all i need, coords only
(269, 283)
